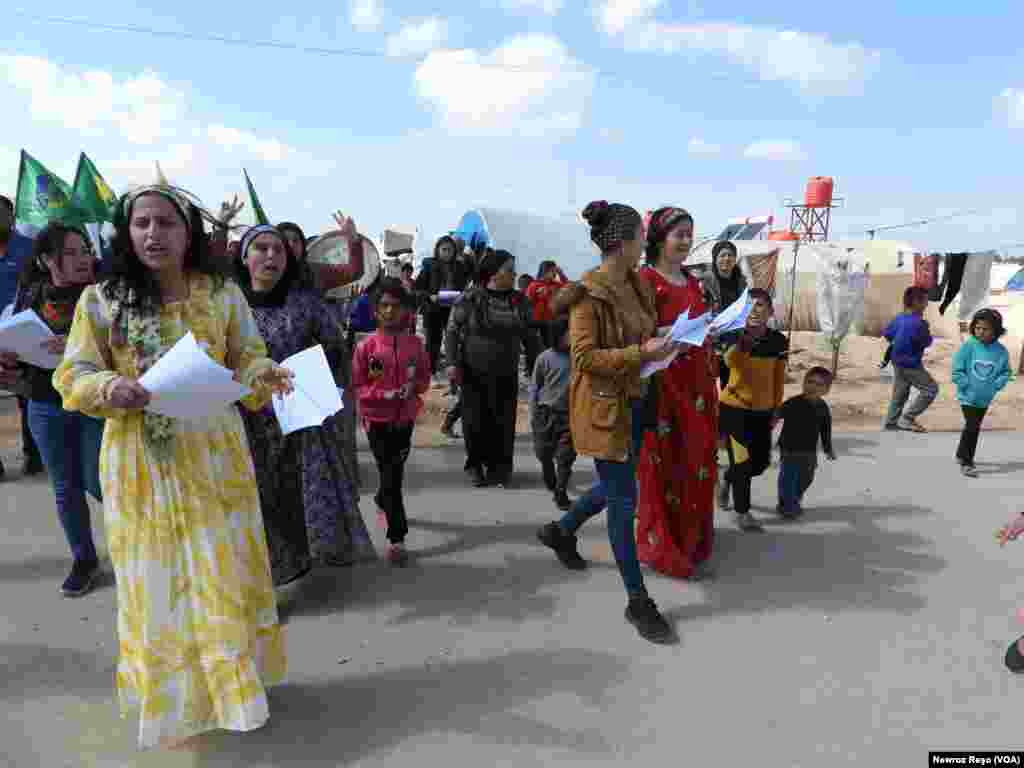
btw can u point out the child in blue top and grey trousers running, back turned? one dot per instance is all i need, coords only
(910, 335)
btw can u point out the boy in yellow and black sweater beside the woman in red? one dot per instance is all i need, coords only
(749, 403)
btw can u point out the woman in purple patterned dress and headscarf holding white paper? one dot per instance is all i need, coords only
(308, 465)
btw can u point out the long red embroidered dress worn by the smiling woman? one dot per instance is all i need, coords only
(678, 462)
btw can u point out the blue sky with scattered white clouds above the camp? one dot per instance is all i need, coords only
(724, 109)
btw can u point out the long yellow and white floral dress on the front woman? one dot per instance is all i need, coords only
(197, 618)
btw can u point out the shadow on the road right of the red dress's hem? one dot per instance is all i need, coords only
(858, 567)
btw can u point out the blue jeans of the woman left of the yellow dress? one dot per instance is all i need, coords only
(69, 444)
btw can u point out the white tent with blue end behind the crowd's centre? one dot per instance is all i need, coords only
(532, 239)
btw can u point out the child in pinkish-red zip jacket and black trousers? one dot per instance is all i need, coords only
(391, 373)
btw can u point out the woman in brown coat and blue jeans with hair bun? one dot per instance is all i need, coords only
(613, 324)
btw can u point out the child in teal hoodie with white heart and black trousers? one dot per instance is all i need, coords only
(982, 369)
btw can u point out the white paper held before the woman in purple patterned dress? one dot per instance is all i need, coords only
(316, 396)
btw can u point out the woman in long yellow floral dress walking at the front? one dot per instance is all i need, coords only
(197, 619)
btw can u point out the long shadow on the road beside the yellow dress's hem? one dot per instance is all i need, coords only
(337, 722)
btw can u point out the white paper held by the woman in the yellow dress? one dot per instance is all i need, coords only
(187, 385)
